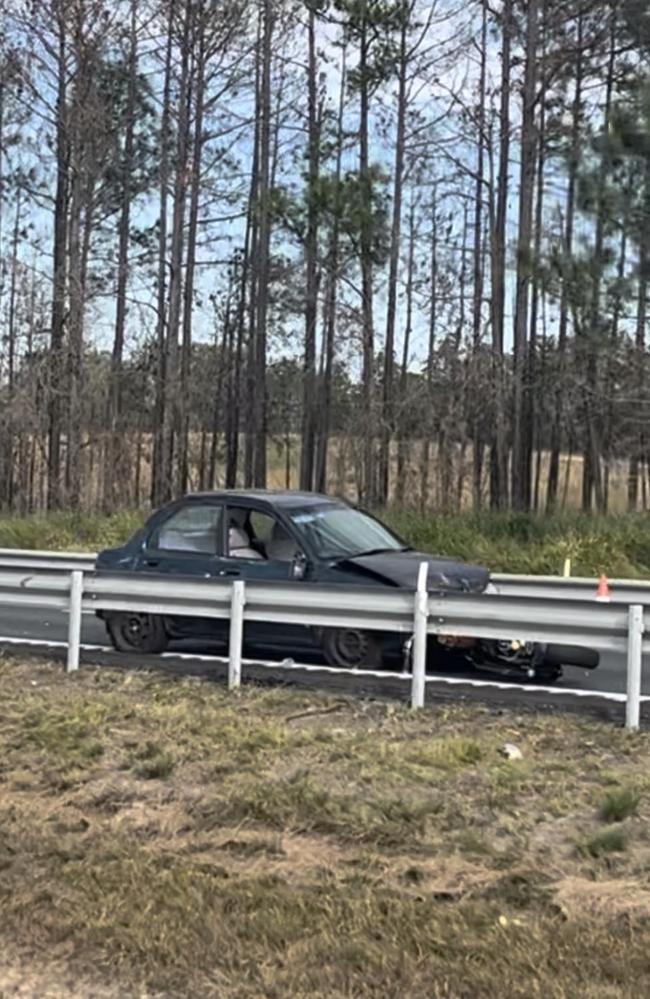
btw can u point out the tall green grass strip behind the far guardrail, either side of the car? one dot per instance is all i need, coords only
(507, 542)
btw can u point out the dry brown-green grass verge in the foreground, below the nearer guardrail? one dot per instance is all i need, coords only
(163, 838)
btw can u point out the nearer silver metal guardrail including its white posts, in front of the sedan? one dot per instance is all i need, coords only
(613, 626)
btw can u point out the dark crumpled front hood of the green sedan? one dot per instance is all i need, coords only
(401, 569)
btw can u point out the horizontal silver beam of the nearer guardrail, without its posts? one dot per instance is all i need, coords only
(491, 616)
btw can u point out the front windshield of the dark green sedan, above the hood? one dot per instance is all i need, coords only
(340, 532)
